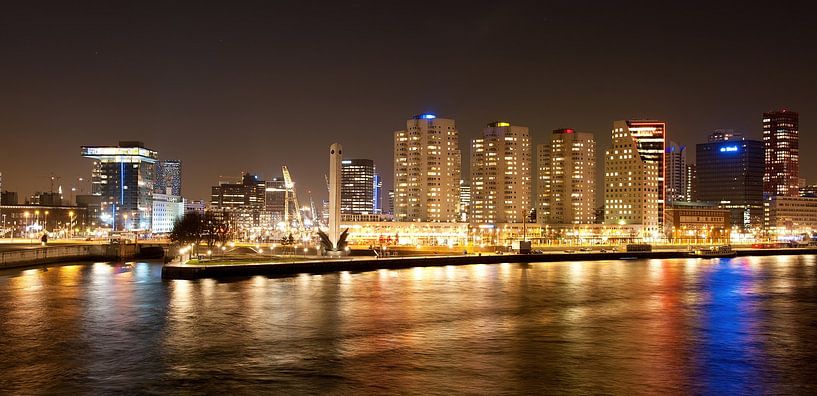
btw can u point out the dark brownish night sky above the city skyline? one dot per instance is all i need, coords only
(234, 86)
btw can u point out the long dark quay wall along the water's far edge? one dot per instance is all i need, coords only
(199, 271)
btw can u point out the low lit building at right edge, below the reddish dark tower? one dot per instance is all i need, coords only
(790, 215)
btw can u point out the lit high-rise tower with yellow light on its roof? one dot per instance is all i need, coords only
(500, 175)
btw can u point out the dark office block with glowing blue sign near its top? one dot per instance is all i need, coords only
(730, 174)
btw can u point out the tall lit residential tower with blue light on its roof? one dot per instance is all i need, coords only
(427, 167)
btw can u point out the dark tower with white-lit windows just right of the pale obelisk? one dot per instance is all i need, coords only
(357, 186)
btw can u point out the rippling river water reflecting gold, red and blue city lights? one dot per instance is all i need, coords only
(746, 325)
